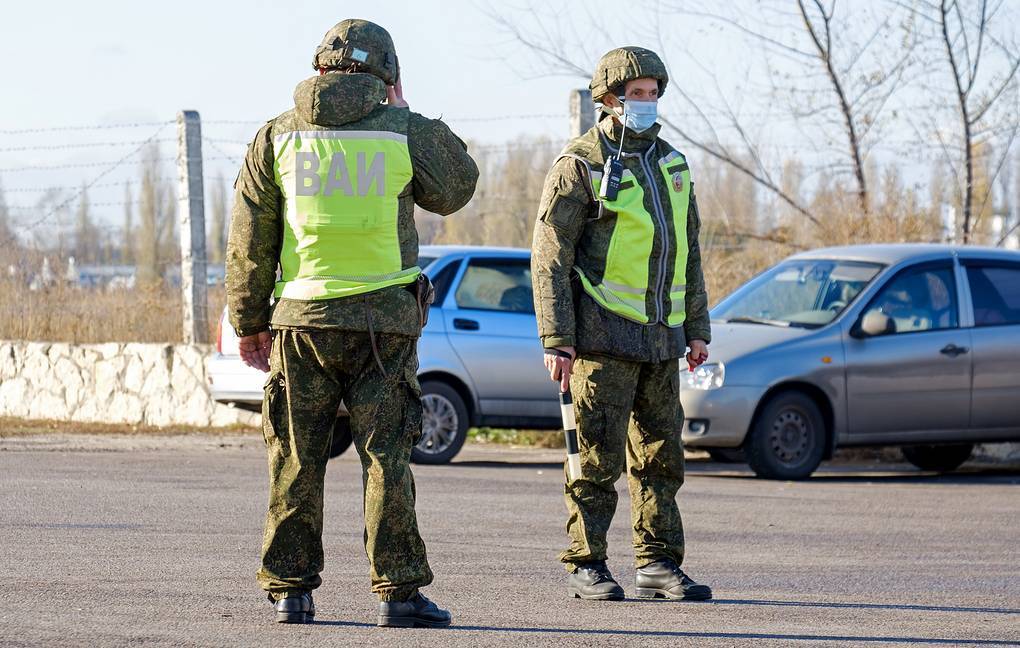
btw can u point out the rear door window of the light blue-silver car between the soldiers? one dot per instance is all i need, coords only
(497, 285)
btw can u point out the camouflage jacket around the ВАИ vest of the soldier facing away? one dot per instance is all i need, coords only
(443, 183)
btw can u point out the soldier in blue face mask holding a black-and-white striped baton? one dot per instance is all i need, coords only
(620, 293)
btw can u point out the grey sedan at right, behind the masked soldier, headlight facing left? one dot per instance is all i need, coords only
(909, 345)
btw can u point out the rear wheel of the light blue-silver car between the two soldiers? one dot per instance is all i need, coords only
(444, 425)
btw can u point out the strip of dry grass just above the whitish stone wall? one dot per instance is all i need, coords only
(68, 314)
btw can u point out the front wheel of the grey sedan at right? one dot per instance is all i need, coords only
(788, 439)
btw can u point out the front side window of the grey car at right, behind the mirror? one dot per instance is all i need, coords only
(923, 300)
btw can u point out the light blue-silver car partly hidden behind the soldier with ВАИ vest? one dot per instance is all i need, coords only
(480, 357)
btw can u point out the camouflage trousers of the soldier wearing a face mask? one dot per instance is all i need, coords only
(629, 417)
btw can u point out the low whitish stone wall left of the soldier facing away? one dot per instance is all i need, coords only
(140, 384)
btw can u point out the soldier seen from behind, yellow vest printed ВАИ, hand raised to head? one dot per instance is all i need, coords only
(327, 194)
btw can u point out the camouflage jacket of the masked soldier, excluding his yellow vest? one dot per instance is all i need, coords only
(571, 233)
